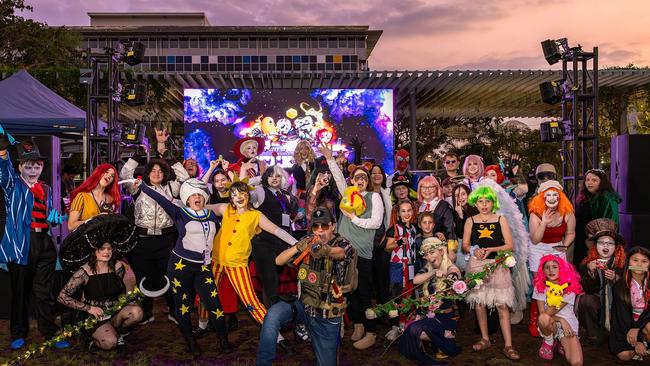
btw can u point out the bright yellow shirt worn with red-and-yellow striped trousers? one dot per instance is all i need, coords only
(232, 244)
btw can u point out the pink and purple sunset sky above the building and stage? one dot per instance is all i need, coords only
(421, 34)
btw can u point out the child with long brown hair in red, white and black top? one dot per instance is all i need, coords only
(400, 244)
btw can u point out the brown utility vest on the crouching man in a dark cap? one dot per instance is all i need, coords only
(319, 291)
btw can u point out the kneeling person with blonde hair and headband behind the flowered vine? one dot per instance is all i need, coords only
(440, 329)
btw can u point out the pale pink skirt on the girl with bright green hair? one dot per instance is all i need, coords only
(496, 289)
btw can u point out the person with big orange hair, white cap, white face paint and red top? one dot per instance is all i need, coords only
(552, 231)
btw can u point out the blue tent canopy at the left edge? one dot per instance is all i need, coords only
(29, 107)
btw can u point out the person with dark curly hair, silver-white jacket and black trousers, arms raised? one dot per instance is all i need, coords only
(155, 228)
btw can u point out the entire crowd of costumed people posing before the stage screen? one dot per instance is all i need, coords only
(317, 246)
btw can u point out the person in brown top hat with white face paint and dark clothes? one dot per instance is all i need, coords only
(601, 268)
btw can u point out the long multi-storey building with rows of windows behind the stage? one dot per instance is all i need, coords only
(187, 42)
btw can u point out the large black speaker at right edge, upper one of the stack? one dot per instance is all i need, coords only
(630, 172)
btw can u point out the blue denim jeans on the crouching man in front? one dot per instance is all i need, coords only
(324, 333)
